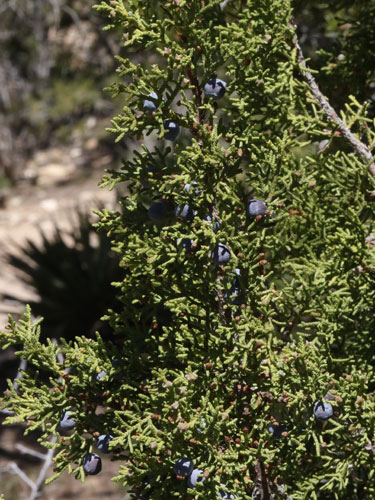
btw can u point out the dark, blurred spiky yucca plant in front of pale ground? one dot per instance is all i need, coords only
(71, 272)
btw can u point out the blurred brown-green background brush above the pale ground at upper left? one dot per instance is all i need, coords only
(55, 60)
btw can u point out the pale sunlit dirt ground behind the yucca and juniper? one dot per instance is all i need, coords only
(56, 182)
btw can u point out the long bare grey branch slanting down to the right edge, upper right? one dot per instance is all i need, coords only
(330, 113)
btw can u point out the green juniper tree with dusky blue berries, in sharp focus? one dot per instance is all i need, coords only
(245, 353)
